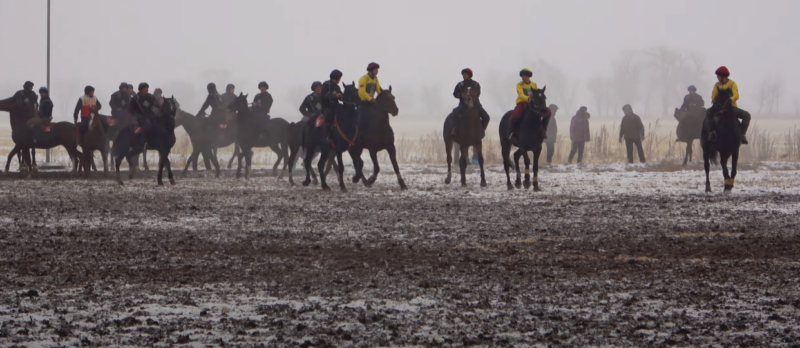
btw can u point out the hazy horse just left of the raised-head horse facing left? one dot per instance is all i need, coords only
(204, 138)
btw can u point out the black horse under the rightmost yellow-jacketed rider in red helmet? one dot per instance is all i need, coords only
(727, 143)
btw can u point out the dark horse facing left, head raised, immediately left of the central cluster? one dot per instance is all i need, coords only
(254, 132)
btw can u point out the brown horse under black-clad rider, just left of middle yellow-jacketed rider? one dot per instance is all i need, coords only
(470, 133)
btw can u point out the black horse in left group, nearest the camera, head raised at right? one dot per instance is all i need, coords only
(156, 134)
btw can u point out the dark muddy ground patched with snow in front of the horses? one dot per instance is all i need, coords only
(604, 256)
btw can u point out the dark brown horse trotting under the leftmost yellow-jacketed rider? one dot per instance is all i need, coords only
(377, 135)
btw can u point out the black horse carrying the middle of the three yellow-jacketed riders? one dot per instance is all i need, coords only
(531, 137)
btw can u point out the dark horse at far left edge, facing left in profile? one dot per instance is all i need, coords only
(23, 121)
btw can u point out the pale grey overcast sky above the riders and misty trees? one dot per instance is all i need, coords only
(180, 45)
